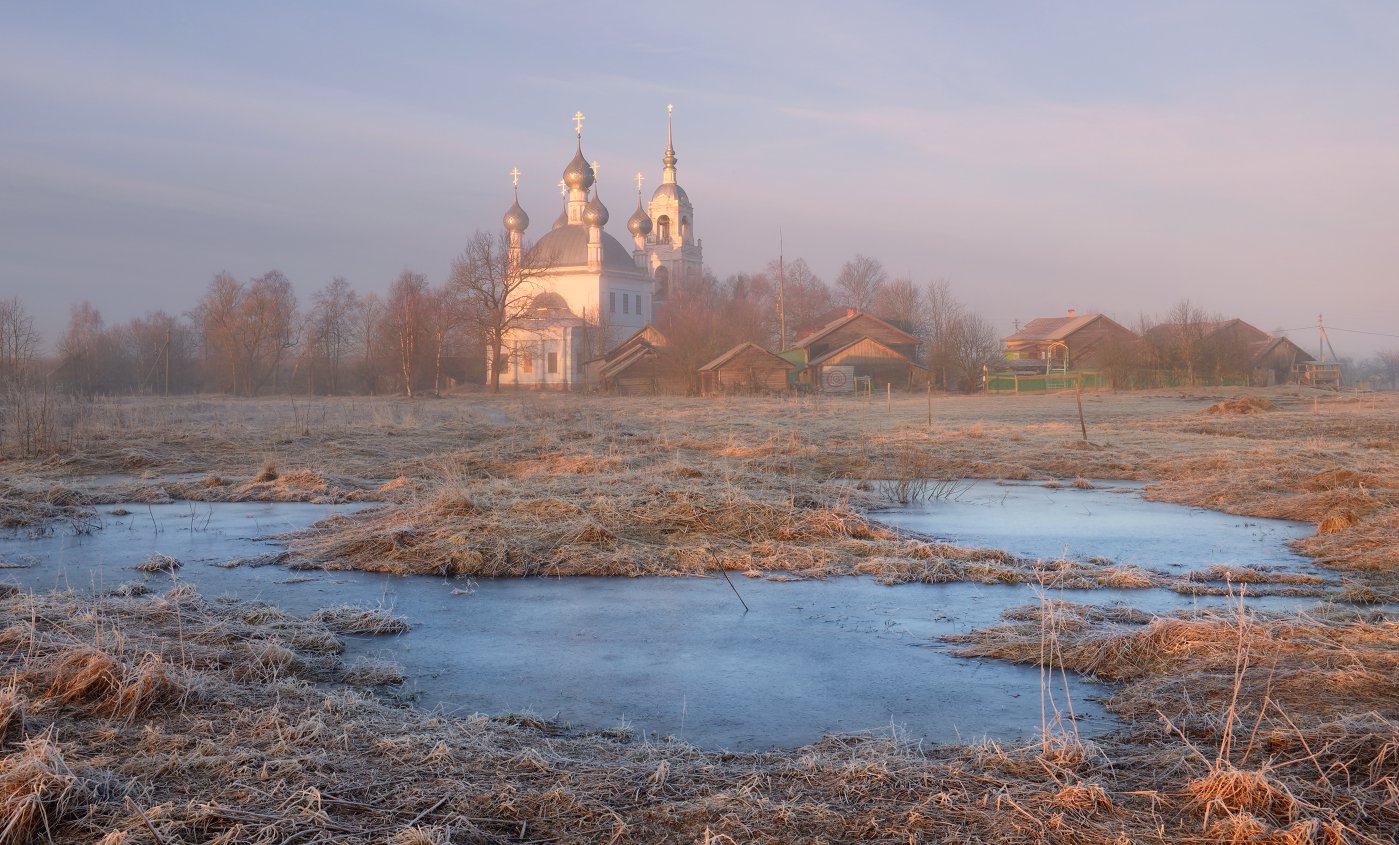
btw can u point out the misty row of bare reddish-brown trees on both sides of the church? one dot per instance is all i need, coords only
(258, 336)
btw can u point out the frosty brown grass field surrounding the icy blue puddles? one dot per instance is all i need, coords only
(178, 718)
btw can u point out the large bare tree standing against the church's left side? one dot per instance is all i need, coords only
(496, 292)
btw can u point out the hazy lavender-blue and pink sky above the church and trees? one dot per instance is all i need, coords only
(1113, 157)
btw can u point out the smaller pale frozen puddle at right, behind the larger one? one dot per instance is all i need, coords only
(1110, 523)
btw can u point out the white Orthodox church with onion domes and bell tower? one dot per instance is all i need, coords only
(594, 290)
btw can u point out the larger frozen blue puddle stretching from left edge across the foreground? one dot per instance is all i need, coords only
(665, 657)
